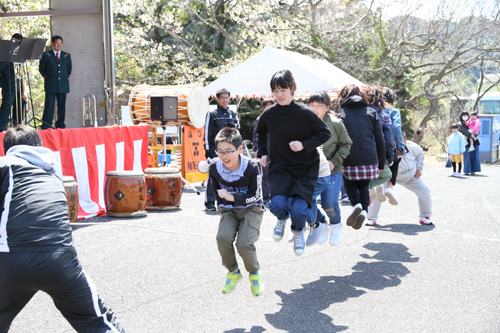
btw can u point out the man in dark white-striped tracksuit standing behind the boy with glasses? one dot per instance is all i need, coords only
(217, 119)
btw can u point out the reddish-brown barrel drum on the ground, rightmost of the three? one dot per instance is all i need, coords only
(164, 188)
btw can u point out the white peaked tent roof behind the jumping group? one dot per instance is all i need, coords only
(251, 79)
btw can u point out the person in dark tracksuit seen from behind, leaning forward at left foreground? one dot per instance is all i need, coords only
(36, 245)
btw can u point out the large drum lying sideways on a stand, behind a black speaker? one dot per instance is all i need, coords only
(192, 103)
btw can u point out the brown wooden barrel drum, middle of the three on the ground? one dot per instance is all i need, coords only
(125, 194)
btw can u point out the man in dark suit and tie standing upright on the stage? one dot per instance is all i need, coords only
(55, 67)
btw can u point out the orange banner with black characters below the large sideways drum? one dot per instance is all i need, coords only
(193, 154)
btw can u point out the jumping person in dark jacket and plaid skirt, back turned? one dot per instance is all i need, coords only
(366, 157)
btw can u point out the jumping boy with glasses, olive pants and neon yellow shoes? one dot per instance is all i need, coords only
(237, 185)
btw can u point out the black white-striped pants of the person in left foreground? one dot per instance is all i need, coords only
(59, 274)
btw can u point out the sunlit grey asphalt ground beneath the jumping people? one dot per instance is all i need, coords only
(398, 276)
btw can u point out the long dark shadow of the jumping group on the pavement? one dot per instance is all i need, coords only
(301, 309)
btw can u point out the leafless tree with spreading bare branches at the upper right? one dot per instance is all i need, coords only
(450, 42)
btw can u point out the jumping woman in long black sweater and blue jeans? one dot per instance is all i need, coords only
(294, 133)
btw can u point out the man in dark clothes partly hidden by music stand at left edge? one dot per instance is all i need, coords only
(8, 85)
